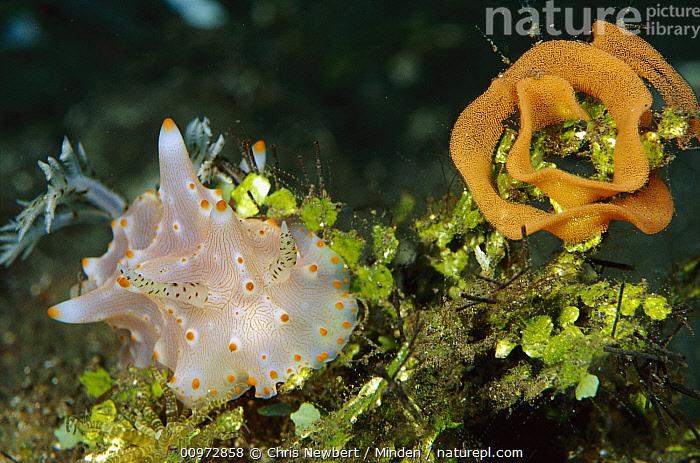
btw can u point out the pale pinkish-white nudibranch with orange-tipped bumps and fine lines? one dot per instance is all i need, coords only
(225, 302)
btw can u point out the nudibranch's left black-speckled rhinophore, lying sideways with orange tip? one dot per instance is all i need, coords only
(190, 293)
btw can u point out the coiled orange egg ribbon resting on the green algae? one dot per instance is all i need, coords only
(541, 84)
